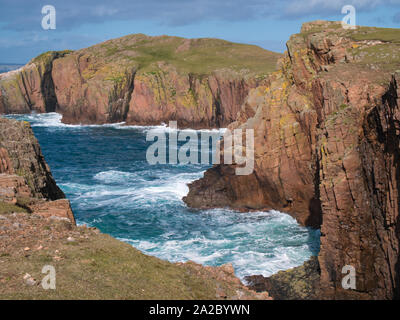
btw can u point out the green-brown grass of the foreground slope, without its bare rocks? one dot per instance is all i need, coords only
(104, 268)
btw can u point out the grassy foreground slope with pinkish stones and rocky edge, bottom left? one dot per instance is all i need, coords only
(90, 265)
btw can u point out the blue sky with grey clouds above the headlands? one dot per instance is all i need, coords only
(80, 24)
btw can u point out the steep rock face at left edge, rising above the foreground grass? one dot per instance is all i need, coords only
(26, 182)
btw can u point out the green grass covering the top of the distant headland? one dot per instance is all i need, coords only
(197, 56)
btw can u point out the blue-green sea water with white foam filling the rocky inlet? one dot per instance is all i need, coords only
(104, 172)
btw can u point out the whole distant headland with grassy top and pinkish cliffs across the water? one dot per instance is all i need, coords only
(138, 79)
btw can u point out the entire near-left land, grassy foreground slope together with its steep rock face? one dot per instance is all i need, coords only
(37, 228)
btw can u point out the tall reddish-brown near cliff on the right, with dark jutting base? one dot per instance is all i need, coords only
(326, 129)
